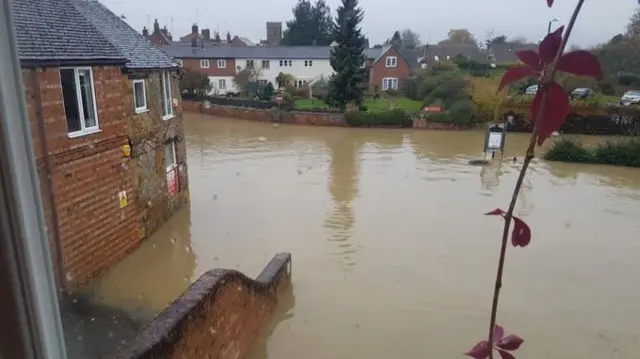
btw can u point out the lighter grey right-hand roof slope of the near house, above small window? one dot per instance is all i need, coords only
(139, 52)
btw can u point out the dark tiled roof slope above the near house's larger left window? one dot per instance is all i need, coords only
(53, 30)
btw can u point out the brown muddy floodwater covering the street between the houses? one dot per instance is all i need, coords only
(392, 257)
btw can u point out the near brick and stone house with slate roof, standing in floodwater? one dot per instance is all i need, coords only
(107, 131)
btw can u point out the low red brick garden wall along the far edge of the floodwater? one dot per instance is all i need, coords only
(273, 115)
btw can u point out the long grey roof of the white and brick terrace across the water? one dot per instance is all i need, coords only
(182, 51)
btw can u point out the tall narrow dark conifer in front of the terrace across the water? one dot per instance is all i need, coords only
(347, 58)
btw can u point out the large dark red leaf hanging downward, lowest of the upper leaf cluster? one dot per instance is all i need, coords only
(555, 113)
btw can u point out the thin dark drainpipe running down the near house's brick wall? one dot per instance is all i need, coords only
(35, 83)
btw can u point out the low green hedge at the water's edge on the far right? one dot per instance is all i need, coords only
(624, 152)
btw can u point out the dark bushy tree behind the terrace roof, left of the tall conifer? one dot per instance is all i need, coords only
(311, 24)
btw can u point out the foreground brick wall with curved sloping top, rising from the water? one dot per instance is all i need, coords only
(219, 316)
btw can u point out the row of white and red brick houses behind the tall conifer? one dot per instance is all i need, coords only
(388, 69)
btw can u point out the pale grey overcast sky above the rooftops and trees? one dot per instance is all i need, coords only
(598, 21)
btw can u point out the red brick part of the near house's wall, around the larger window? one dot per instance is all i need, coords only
(87, 174)
